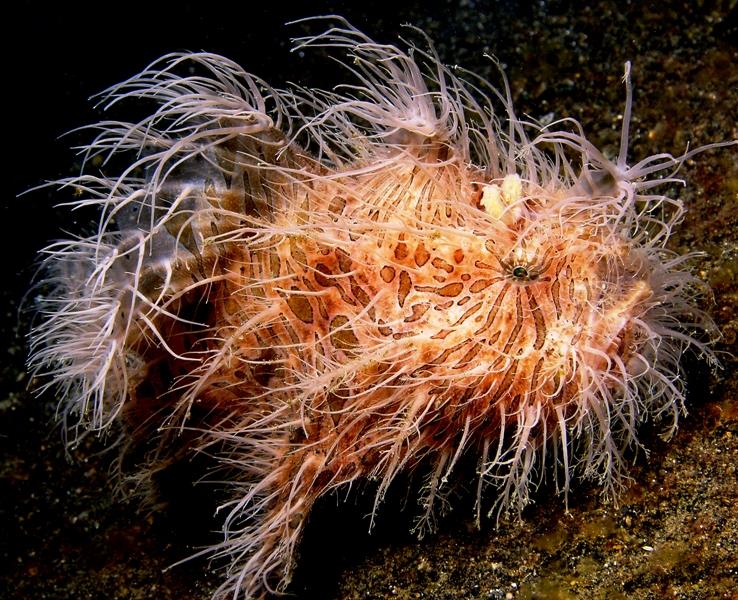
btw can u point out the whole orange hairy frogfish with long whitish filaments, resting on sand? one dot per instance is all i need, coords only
(317, 288)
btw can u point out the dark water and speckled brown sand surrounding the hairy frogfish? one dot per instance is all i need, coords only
(62, 533)
